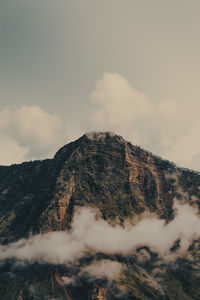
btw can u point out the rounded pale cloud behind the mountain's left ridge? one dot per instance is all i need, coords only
(28, 132)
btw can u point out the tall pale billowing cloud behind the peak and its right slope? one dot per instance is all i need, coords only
(167, 128)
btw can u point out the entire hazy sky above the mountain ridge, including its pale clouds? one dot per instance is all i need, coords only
(71, 66)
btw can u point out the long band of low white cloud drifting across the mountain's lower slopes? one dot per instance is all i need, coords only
(90, 235)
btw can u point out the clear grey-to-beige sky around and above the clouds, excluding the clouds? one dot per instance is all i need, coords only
(52, 53)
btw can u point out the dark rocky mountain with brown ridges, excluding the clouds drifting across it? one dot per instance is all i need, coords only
(99, 170)
